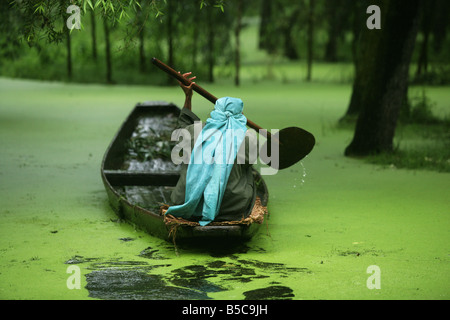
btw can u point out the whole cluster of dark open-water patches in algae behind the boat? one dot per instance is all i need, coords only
(135, 280)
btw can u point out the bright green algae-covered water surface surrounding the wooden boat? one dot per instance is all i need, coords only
(331, 217)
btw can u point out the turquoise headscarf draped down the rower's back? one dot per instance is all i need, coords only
(212, 160)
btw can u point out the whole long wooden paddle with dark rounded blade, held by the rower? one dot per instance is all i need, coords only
(293, 143)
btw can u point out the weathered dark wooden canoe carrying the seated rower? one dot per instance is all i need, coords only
(139, 182)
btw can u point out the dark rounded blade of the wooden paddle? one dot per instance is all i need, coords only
(292, 144)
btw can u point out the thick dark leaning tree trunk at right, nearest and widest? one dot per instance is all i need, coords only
(385, 91)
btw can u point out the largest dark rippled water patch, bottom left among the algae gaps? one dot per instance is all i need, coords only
(135, 284)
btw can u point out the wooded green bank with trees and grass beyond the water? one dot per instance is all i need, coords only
(296, 42)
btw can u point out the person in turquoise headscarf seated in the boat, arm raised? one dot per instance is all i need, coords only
(213, 186)
